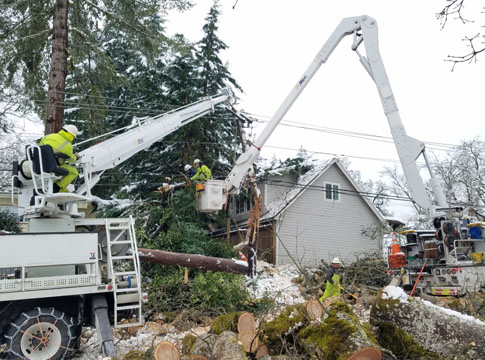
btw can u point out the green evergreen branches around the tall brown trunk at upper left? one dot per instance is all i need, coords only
(25, 29)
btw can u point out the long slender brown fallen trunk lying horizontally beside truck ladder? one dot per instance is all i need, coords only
(192, 261)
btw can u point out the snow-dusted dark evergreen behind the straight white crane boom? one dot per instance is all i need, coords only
(183, 76)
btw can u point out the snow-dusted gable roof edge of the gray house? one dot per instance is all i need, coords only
(307, 180)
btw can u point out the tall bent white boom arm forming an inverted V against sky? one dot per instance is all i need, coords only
(363, 29)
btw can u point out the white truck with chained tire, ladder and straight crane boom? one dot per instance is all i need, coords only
(68, 270)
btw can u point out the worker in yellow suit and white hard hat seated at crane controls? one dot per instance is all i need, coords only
(61, 143)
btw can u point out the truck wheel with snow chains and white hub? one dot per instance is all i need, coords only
(40, 334)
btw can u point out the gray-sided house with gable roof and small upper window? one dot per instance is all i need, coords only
(319, 215)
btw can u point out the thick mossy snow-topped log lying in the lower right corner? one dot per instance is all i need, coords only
(417, 328)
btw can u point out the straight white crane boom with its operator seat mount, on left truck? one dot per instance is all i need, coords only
(37, 197)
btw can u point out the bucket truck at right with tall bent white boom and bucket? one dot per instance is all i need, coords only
(448, 258)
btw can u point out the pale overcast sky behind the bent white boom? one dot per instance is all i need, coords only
(272, 42)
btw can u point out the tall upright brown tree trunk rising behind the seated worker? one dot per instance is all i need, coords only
(58, 69)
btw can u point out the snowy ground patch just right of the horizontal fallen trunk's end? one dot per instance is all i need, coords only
(276, 283)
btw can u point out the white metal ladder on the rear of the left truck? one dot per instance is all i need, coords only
(124, 269)
